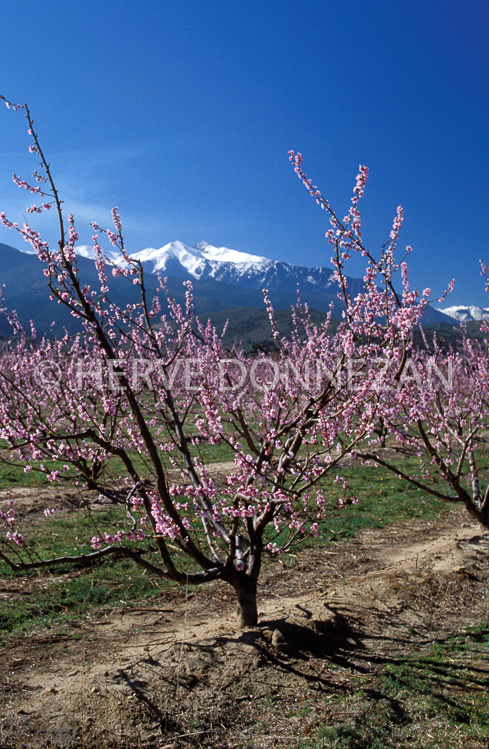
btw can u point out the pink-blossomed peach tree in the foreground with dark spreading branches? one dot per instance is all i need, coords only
(127, 407)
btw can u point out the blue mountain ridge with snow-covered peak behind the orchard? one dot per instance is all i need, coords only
(223, 279)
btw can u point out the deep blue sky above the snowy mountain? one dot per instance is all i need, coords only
(182, 113)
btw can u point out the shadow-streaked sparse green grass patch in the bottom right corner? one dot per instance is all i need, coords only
(416, 700)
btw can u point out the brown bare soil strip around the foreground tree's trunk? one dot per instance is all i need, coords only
(178, 673)
